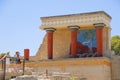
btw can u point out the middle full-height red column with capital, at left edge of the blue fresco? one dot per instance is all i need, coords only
(74, 30)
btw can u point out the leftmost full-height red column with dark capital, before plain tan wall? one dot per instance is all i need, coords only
(50, 42)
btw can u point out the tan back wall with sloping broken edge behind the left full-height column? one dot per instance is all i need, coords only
(61, 45)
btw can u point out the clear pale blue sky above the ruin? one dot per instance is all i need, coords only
(20, 19)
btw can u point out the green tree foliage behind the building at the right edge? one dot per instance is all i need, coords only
(115, 44)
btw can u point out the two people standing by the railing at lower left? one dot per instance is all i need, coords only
(17, 60)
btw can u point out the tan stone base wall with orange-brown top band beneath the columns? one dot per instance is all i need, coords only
(89, 68)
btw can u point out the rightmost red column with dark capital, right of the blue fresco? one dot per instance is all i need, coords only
(99, 37)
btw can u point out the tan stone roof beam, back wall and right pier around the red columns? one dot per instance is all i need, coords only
(61, 37)
